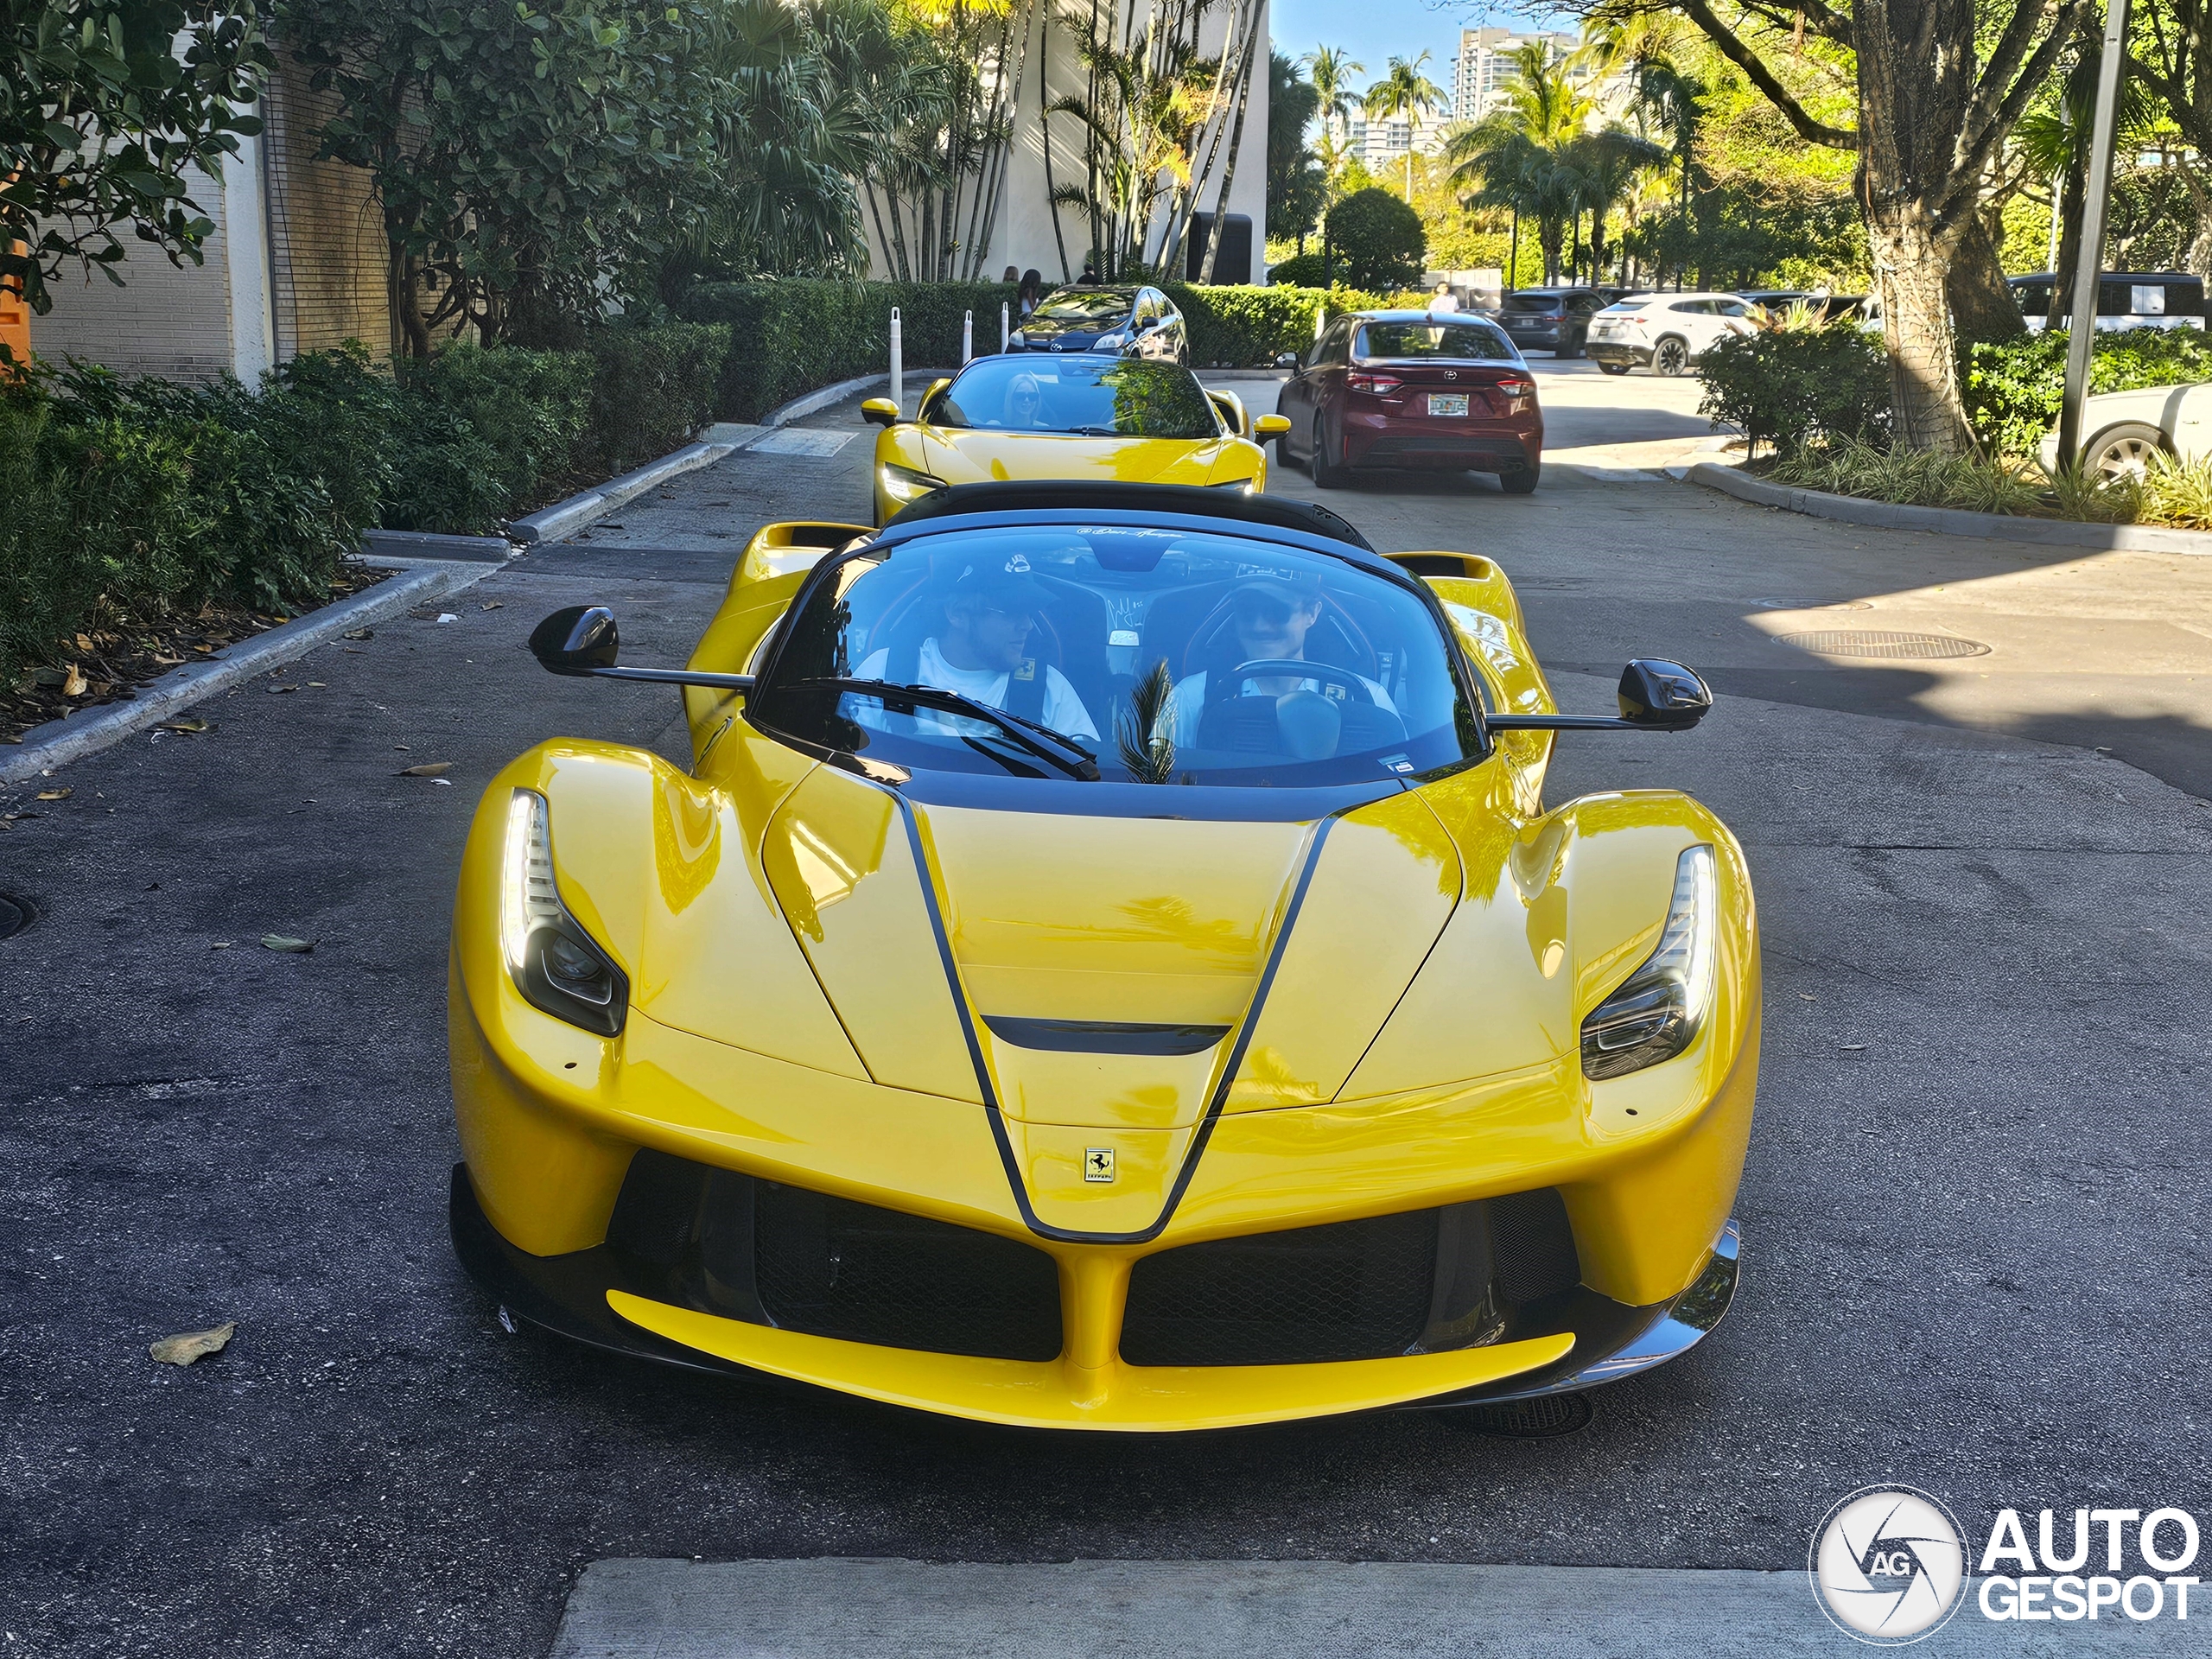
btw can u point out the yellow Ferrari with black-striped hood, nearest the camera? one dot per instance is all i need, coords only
(1107, 968)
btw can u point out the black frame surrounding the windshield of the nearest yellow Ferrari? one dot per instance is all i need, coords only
(1176, 800)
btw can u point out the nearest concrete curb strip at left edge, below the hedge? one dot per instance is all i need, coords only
(61, 742)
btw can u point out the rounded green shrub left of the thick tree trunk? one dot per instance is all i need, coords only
(1795, 386)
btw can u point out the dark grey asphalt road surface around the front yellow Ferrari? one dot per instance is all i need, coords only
(1974, 1211)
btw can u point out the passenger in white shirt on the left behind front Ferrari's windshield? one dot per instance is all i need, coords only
(981, 654)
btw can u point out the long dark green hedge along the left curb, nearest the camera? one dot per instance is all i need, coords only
(129, 501)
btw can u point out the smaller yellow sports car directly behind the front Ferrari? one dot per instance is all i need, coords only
(1083, 417)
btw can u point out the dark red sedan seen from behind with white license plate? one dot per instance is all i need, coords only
(1412, 390)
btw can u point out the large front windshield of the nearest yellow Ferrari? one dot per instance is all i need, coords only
(1169, 656)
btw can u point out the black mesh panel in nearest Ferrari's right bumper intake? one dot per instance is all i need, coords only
(1344, 1293)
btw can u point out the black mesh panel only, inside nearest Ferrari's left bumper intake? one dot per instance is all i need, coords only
(842, 1269)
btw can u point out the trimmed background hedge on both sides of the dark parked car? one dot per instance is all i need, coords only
(795, 337)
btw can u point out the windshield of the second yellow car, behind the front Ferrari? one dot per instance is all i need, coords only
(1089, 397)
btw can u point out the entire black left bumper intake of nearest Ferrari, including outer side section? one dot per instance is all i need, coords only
(806, 1262)
